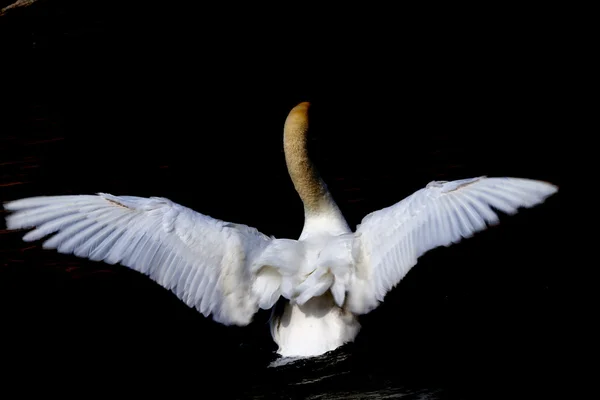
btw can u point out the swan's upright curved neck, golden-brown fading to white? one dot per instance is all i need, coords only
(318, 202)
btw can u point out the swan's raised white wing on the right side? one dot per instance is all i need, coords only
(389, 241)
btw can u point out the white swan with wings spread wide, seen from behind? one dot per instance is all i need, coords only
(326, 278)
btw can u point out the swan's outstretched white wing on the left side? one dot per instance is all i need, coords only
(222, 269)
